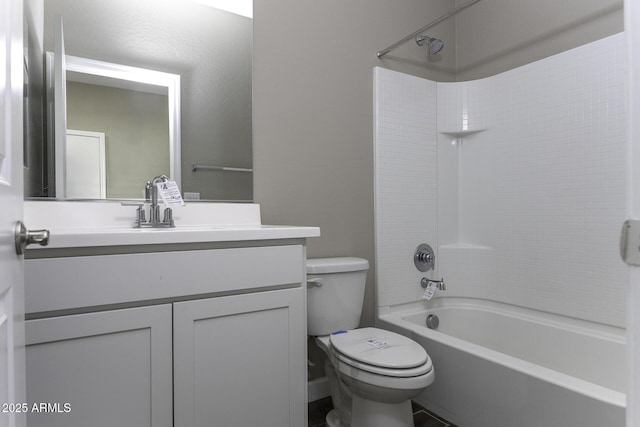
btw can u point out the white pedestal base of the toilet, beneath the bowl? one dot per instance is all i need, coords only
(369, 413)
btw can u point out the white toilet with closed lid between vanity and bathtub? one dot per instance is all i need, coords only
(373, 373)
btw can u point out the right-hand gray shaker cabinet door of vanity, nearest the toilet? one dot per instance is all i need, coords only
(241, 361)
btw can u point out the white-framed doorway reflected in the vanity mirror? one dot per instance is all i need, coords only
(122, 128)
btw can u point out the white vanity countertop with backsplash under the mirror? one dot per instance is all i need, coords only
(96, 224)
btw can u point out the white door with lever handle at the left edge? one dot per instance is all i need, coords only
(12, 377)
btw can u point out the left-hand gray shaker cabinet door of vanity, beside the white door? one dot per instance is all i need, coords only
(110, 368)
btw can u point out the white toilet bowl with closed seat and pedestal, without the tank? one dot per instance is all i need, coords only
(381, 372)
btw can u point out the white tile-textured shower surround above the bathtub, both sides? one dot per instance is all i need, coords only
(518, 182)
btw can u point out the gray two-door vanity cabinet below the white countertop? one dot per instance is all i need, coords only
(198, 335)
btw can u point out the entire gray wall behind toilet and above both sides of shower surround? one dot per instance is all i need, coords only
(313, 122)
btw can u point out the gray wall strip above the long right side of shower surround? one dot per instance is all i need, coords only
(497, 35)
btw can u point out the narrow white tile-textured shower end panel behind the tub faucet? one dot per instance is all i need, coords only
(406, 181)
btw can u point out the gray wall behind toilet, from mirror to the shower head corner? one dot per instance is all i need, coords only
(313, 104)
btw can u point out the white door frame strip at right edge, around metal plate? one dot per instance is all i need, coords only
(632, 29)
